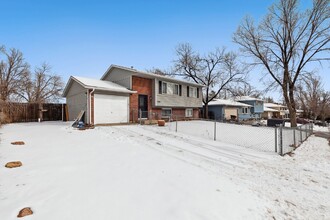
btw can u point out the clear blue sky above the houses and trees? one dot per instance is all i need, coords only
(85, 37)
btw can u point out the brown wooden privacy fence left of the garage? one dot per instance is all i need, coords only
(29, 112)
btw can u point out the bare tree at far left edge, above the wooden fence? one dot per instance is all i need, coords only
(13, 72)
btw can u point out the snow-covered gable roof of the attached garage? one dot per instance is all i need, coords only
(96, 84)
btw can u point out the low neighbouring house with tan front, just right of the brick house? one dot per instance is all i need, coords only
(225, 109)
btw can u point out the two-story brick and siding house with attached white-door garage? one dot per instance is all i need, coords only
(124, 95)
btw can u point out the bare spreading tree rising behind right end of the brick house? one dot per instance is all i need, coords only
(215, 71)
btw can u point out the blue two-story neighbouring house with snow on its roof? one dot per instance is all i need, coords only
(257, 107)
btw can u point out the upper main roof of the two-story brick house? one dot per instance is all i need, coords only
(147, 75)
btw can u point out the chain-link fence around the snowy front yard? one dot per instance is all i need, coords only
(280, 139)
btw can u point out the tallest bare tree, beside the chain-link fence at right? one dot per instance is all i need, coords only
(286, 41)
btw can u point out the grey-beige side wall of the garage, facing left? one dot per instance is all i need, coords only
(76, 100)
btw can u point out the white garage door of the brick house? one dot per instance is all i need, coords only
(110, 109)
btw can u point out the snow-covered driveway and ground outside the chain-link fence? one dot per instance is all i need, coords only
(150, 172)
